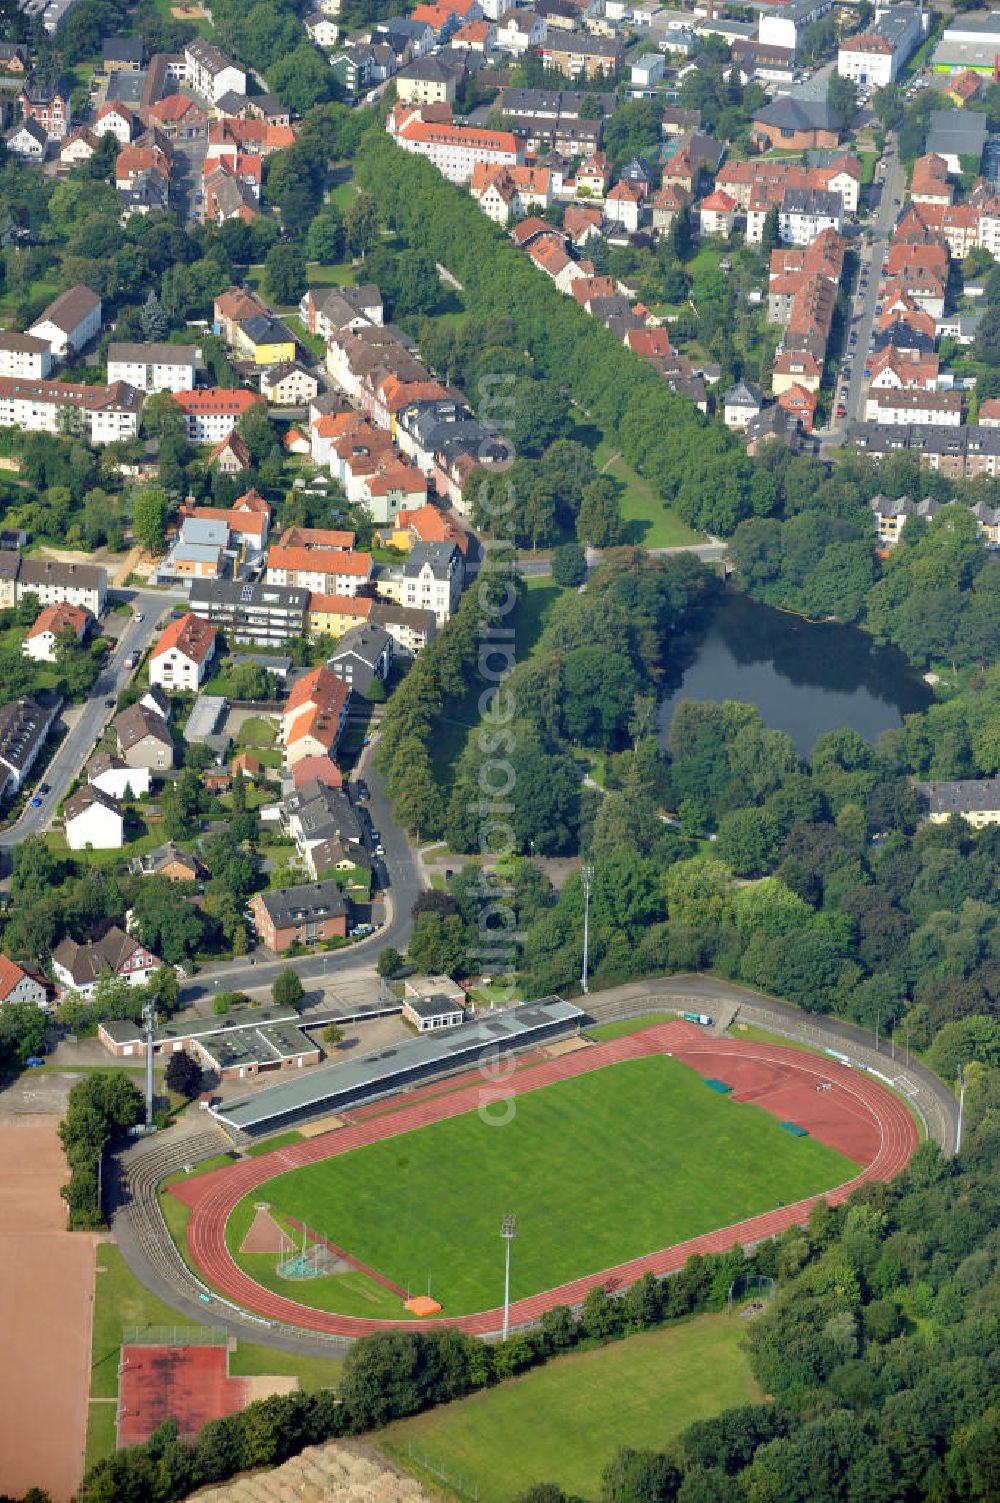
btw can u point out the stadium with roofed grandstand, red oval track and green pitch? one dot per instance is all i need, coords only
(617, 1158)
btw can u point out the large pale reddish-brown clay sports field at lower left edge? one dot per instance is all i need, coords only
(46, 1314)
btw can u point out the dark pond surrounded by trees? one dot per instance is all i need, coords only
(804, 679)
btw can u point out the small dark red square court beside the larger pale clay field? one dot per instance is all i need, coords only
(189, 1385)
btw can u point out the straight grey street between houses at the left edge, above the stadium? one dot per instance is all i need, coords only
(92, 719)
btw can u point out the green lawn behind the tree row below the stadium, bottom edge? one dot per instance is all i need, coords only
(566, 1421)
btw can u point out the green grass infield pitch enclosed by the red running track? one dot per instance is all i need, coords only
(601, 1169)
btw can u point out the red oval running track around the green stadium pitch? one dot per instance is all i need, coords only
(844, 1108)
